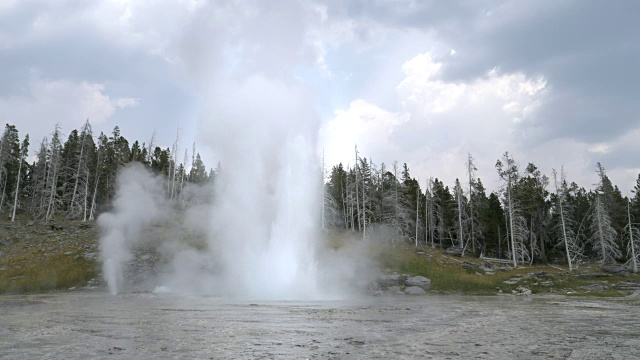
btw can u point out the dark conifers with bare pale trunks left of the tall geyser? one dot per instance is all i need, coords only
(76, 178)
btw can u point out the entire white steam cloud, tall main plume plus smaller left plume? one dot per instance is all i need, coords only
(261, 231)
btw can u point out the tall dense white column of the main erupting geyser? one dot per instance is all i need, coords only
(266, 213)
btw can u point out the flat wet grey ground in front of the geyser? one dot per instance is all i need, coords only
(97, 325)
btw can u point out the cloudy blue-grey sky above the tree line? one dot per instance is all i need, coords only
(552, 82)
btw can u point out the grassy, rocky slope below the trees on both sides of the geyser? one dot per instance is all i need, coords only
(37, 257)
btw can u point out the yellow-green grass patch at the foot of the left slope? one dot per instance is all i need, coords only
(60, 271)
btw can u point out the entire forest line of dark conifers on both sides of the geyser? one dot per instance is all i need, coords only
(531, 218)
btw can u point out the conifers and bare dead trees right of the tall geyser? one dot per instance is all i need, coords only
(531, 219)
